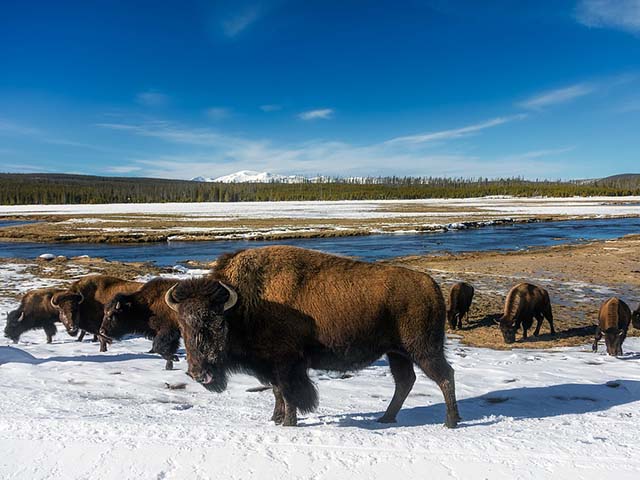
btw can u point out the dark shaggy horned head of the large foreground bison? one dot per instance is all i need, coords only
(201, 305)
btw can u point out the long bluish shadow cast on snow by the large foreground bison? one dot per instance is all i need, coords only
(517, 403)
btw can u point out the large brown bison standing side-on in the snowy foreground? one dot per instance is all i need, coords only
(277, 311)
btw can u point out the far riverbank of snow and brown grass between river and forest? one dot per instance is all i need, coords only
(153, 223)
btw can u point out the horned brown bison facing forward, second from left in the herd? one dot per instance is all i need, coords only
(81, 306)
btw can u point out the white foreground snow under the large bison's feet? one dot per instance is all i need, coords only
(68, 411)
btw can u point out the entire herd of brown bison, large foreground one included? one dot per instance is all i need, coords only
(274, 312)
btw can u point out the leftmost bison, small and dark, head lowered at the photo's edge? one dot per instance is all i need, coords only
(35, 311)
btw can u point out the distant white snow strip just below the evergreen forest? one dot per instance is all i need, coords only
(575, 206)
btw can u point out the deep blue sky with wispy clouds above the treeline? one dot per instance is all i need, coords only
(541, 89)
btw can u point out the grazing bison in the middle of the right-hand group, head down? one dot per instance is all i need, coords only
(524, 302)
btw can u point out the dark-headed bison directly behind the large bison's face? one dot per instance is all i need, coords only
(145, 312)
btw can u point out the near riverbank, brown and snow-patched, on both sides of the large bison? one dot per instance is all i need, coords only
(578, 278)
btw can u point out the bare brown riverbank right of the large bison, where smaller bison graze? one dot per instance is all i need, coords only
(578, 277)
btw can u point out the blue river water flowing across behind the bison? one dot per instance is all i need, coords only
(372, 247)
